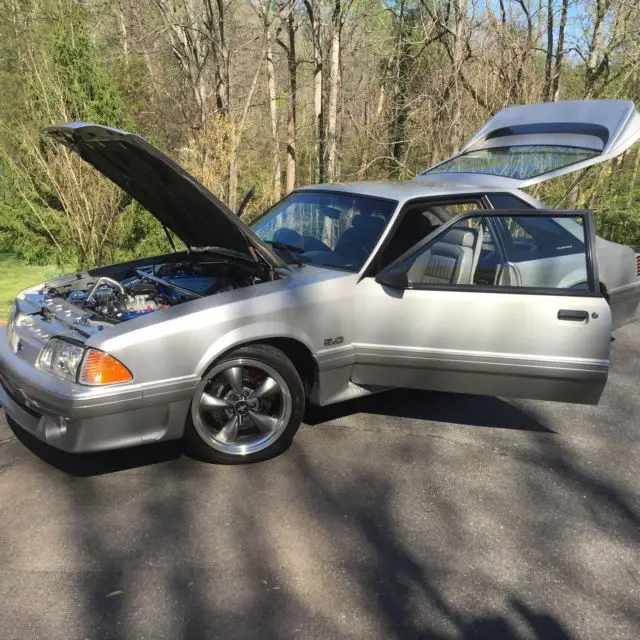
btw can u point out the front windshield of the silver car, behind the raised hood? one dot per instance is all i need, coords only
(325, 228)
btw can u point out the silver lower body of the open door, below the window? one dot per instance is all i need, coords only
(481, 343)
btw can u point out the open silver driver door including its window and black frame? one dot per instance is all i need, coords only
(464, 312)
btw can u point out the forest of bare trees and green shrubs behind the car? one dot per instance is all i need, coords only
(277, 93)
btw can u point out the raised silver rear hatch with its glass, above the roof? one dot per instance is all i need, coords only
(524, 145)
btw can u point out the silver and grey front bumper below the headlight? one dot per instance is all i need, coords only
(77, 418)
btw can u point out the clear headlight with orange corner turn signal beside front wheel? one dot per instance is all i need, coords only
(76, 363)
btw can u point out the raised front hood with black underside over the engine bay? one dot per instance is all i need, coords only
(163, 187)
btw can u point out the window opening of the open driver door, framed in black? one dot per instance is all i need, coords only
(542, 251)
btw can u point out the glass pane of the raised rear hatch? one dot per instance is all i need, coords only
(520, 162)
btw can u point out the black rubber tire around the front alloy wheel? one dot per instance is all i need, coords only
(203, 445)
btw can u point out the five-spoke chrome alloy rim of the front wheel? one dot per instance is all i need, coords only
(241, 406)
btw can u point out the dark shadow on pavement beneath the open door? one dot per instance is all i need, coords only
(452, 408)
